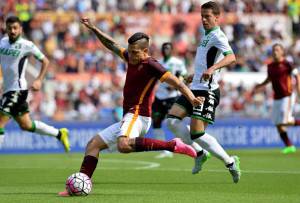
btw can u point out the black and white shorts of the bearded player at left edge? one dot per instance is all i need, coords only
(13, 103)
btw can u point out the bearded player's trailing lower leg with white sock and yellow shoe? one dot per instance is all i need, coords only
(42, 128)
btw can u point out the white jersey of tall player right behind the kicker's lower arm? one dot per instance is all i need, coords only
(213, 47)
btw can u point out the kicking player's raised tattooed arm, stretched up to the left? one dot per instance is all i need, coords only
(106, 40)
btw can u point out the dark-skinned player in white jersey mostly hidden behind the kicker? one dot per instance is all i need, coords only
(166, 95)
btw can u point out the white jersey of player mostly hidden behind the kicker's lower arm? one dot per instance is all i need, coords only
(177, 67)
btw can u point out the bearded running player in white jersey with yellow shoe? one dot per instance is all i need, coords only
(14, 51)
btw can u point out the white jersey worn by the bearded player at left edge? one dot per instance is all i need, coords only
(13, 60)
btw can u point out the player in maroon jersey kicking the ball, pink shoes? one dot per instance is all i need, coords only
(143, 72)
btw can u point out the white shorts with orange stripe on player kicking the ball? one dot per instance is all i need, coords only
(130, 126)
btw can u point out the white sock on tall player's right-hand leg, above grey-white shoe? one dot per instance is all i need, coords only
(210, 143)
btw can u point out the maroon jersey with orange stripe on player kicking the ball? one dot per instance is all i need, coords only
(139, 86)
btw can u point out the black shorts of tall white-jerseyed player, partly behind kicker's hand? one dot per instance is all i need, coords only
(206, 111)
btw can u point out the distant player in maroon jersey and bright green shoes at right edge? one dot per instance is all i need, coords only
(280, 73)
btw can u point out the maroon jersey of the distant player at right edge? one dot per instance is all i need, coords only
(280, 74)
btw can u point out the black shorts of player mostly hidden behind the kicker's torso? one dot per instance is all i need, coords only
(161, 107)
